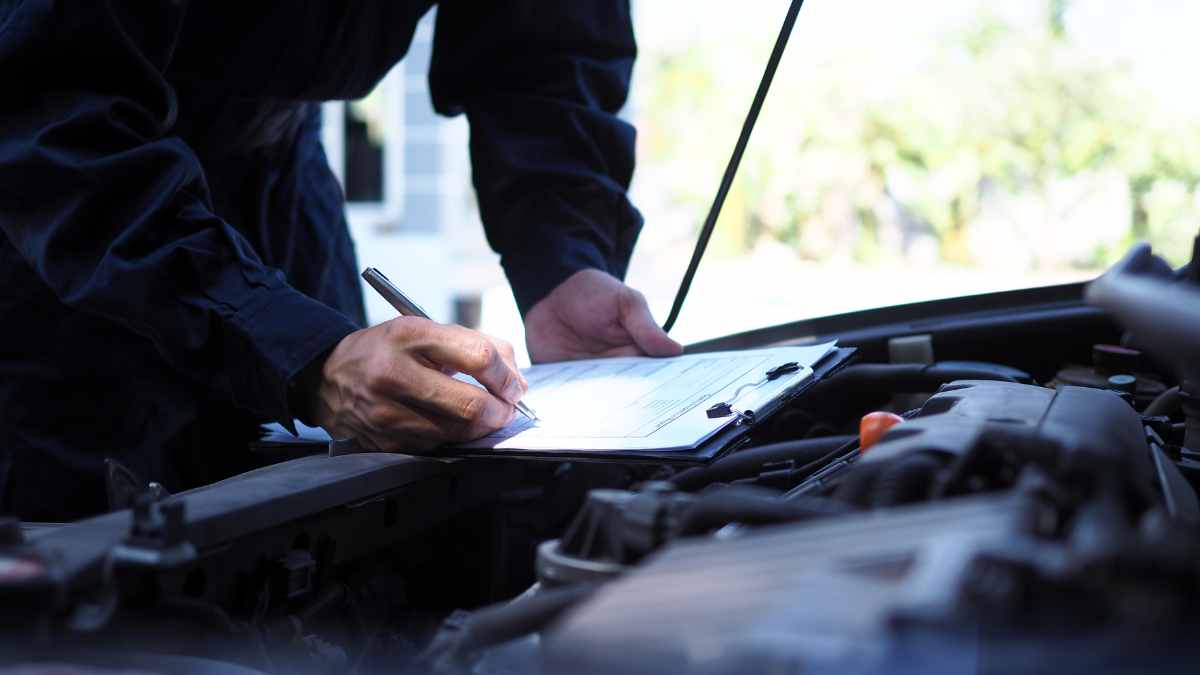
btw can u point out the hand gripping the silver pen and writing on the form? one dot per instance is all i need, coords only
(392, 387)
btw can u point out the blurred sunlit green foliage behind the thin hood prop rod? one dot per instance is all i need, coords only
(1003, 128)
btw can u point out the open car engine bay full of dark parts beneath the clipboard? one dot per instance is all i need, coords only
(1004, 483)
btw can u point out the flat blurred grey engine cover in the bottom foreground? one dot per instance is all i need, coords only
(819, 595)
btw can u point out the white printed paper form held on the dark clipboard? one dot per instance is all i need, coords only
(646, 404)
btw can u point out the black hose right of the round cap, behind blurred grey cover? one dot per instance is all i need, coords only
(751, 506)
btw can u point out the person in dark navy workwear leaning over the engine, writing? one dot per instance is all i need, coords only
(175, 262)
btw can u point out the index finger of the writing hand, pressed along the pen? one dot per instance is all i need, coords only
(489, 361)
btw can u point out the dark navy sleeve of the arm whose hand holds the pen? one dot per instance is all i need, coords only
(113, 214)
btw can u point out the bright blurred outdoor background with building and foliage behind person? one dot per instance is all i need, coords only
(908, 152)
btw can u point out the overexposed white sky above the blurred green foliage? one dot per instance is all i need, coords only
(1156, 38)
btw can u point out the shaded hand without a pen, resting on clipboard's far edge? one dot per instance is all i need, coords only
(593, 315)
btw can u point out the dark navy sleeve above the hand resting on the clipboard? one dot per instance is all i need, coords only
(542, 85)
